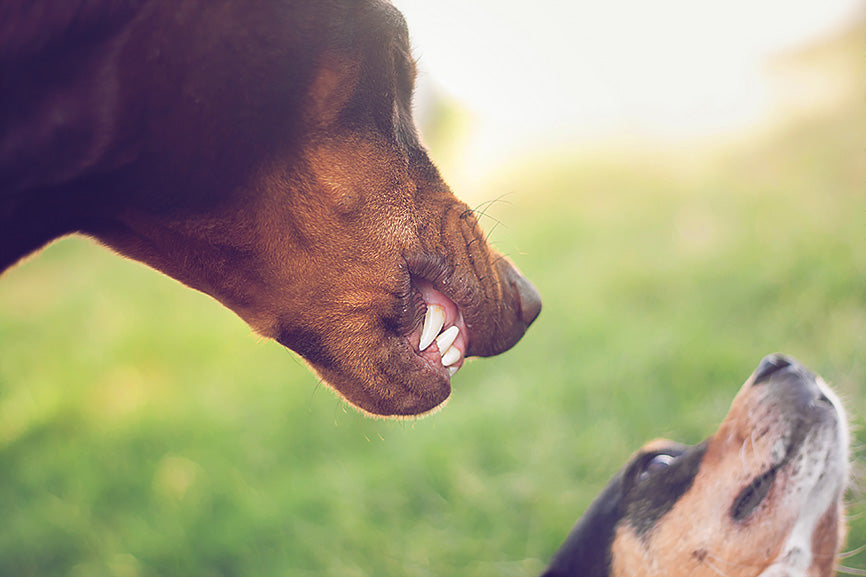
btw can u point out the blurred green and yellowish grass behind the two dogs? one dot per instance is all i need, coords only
(144, 431)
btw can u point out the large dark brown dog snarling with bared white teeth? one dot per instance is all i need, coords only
(265, 154)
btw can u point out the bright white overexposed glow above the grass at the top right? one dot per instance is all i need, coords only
(534, 74)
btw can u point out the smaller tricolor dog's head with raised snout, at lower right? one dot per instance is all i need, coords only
(762, 497)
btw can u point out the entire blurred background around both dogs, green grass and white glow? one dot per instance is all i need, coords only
(685, 183)
